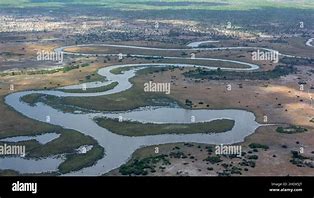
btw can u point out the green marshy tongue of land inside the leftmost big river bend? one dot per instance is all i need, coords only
(130, 99)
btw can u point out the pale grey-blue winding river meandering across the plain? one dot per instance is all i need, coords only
(118, 148)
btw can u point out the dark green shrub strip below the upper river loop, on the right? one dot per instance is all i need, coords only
(219, 74)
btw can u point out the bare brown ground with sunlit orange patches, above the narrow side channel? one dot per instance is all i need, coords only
(281, 100)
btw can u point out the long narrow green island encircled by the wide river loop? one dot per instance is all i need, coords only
(130, 128)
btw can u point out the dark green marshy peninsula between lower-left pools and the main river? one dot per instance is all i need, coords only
(67, 143)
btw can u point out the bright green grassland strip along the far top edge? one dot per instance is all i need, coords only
(164, 5)
